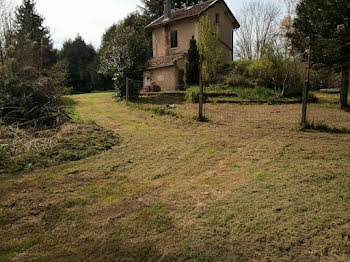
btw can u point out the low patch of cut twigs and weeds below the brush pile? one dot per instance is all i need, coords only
(26, 150)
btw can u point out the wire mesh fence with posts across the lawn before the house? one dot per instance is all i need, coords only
(234, 112)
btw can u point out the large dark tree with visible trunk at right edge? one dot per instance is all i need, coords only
(324, 25)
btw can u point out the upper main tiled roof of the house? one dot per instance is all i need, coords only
(187, 12)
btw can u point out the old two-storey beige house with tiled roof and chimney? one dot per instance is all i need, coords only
(171, 35)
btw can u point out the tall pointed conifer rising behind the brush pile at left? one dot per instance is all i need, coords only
(33, 43)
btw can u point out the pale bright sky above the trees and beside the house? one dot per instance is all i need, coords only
(90, 18)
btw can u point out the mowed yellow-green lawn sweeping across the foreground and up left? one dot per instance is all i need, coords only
(246, 186)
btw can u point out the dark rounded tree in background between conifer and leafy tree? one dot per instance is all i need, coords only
(79, 56)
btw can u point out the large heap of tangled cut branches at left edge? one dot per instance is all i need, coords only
(30, 104)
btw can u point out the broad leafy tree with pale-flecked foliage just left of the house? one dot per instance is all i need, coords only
(124, 52)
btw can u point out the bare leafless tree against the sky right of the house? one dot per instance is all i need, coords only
(259, 26)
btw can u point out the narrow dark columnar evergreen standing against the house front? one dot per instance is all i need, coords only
(192, 64)
